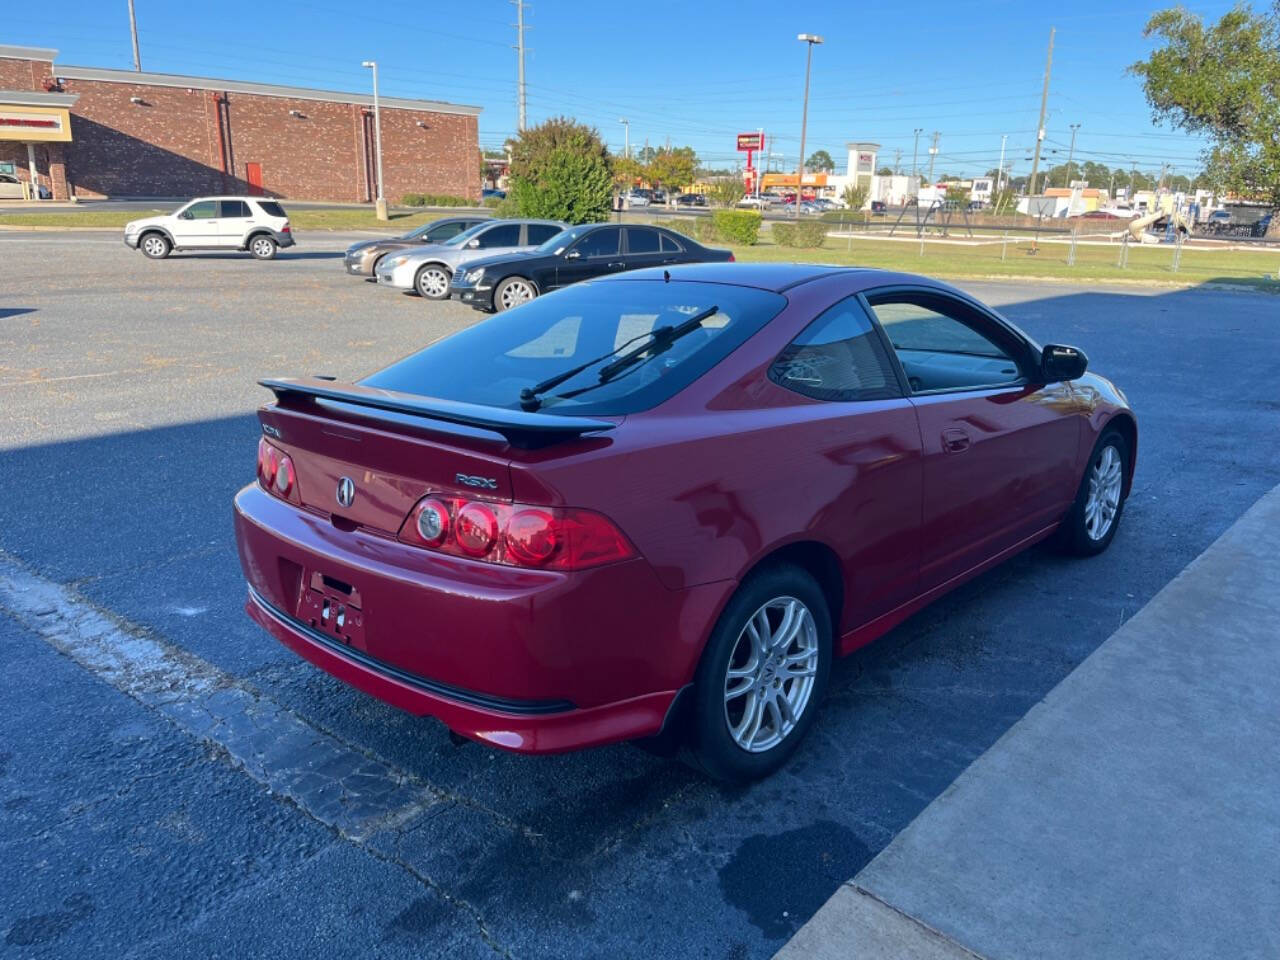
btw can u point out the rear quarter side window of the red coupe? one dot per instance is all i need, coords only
(838, 358)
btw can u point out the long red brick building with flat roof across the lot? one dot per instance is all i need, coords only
(89, 132)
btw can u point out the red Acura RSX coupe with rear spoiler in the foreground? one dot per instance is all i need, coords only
(659, 505)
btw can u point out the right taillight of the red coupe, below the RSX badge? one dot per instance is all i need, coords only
(516, 536)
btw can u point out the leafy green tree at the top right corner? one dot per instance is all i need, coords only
(1222, 81)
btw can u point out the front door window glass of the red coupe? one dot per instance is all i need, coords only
(947, 345)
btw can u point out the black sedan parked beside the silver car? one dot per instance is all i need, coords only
(573, 255)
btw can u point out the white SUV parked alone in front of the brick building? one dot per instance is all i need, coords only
(214, 223)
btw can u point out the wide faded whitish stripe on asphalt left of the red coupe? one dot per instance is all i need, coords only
(333, 781)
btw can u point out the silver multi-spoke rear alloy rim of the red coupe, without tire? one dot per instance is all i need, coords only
(771, 674)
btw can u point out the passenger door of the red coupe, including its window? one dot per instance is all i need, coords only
(999, 449)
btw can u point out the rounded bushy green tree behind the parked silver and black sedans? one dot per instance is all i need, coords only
(561, 171)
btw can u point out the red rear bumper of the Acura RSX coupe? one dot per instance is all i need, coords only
(528, 661)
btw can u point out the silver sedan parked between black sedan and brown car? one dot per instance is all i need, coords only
(429, 269)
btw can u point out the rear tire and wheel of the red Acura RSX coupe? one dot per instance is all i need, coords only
(756, 697)
